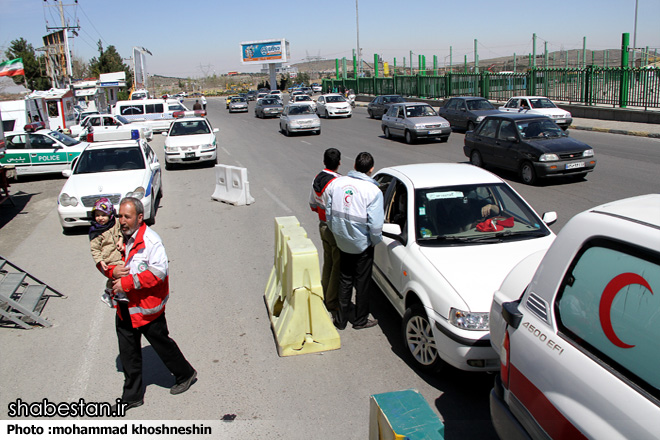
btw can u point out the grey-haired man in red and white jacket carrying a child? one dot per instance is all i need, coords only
(145, 280)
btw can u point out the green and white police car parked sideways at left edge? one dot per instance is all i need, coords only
(41, 151)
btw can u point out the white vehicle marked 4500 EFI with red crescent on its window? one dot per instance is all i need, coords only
(577, 331)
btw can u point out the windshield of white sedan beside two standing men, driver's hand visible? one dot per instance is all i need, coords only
(455, 214)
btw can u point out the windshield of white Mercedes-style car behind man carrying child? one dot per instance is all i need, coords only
(109, 159)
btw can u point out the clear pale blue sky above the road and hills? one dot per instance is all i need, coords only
(189, 38)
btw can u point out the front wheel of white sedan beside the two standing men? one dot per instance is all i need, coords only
(419, 339)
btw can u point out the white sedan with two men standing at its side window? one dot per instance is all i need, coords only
(452, 233)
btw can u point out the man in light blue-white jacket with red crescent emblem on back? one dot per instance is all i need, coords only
(354, 209)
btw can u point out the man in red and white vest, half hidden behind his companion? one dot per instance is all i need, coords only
(331, 271)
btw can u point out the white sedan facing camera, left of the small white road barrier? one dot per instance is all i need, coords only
(190, 140)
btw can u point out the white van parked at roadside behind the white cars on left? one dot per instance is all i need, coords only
(158, 113)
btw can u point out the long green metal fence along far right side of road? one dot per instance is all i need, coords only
(619, 87)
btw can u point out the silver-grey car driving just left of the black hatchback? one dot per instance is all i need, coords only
(414, 120)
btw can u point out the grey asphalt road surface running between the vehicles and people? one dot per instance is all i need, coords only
(220, 259)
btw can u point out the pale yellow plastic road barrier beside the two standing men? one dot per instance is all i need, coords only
(294, 296)
